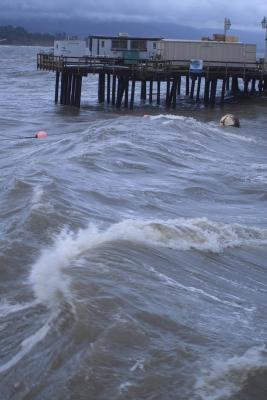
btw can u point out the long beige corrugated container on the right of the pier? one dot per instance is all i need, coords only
(208, 51)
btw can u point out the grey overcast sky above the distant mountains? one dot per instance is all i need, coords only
(244, 14)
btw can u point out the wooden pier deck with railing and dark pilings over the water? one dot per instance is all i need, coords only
(160, 82)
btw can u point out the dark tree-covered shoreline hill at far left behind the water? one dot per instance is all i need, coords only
(17, 35)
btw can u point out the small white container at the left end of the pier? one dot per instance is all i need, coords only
(70, 48)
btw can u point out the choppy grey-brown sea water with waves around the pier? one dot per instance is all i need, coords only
(132, 249)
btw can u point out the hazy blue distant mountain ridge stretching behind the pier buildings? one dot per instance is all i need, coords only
(85, 27)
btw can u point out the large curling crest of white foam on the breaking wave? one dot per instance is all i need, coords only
(50, 282)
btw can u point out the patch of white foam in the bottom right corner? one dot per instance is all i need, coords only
(224, 377)
